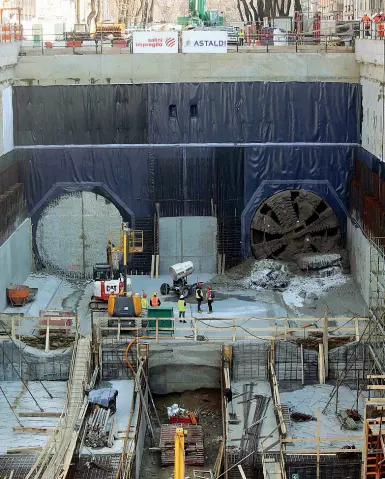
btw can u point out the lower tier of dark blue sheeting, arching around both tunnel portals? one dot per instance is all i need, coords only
(188, 181)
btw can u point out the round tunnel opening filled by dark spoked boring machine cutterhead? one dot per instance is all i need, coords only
(294, 222)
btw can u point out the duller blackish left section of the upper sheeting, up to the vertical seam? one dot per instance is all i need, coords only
(92, 114)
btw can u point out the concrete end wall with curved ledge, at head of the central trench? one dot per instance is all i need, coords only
(184, 367)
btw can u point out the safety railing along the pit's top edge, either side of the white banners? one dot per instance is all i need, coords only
(264, 41)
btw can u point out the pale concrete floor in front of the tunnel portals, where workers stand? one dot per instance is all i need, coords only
(59, 293)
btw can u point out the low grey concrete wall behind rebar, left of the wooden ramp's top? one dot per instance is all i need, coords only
(34, 364)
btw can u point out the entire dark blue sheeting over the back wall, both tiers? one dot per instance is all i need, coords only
(228, 182)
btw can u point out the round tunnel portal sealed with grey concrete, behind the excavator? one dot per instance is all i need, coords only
(73, 232)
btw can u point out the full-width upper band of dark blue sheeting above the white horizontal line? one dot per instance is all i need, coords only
(187, 113)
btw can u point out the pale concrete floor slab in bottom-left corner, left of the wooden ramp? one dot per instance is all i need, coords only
(21, 400)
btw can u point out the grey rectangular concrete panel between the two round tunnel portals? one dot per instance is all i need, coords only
(188, 239)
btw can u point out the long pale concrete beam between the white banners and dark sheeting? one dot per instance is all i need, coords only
(92, 69)
